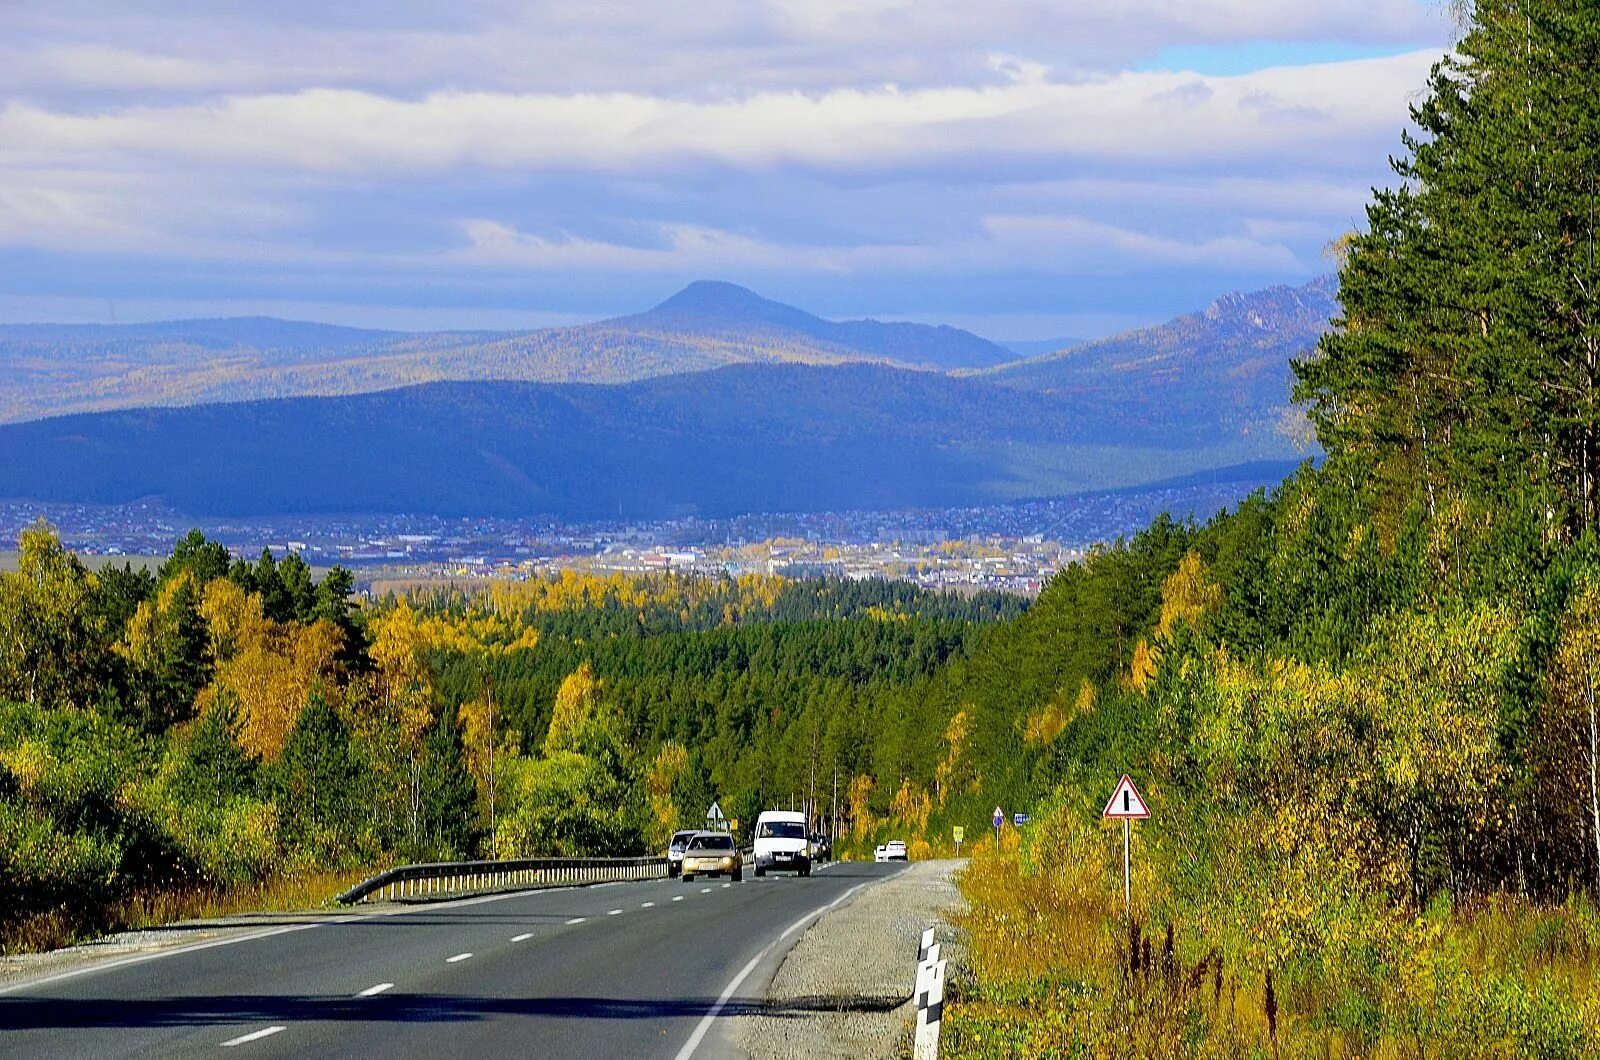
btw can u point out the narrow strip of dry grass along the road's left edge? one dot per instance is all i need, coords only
(159, 907)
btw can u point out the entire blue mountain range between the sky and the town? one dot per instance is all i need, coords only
(714, 403)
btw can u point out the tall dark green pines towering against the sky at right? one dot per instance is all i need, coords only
(1468, 359)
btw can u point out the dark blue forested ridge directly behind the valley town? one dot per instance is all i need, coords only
(742, 440)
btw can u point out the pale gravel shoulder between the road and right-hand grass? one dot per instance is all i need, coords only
(846, 989)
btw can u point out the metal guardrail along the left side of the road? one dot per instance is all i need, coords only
(450, 878)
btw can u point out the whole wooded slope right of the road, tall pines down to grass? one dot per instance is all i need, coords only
(1362, 709)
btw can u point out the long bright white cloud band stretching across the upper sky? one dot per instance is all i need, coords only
(1129, 118)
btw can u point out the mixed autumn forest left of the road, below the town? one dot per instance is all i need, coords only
(225, 734)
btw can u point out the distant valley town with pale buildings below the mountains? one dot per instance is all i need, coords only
(1006, 547)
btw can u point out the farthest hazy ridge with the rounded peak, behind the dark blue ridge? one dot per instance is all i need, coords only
(60, 369)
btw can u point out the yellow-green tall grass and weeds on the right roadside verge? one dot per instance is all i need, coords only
(1050, 968)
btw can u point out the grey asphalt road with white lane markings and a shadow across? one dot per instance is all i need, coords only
(644, 970)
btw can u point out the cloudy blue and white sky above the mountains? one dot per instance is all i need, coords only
(1025, 169)
